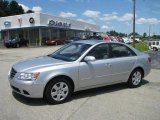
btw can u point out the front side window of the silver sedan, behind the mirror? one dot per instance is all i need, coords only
(100, 52)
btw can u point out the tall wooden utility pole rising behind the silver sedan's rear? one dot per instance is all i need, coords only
(134, 14)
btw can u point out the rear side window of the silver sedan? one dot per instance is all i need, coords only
(120, 50)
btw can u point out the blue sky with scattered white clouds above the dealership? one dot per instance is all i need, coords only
(107, 14)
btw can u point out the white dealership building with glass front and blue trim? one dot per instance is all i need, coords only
(38, 27)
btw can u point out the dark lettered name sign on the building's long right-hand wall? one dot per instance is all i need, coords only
(59, 24)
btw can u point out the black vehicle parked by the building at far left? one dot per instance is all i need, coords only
(16, 43)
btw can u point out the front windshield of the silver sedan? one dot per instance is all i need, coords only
(70, 52)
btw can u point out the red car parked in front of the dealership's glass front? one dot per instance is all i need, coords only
(56, 41)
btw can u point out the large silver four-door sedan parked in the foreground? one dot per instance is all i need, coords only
(78, 66)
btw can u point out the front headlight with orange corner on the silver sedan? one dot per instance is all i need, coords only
(28, 76)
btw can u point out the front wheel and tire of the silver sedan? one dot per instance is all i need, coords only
(58, 91)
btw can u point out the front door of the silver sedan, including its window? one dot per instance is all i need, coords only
(96, 72)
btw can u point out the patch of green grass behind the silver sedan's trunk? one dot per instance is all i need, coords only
(141, 46)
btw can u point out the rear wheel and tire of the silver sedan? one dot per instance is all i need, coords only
(135, 78)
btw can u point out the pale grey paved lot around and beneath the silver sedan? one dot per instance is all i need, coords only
(115, 102)
